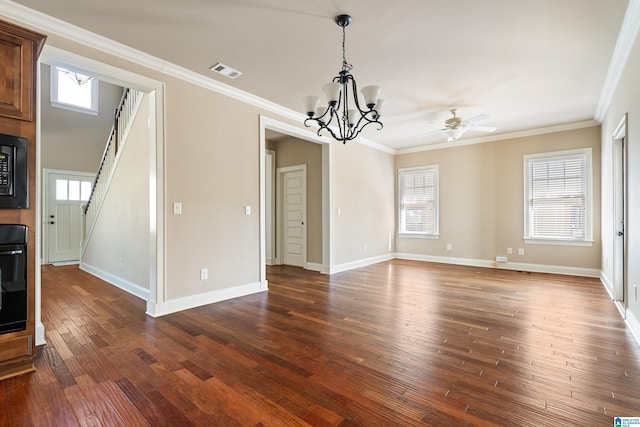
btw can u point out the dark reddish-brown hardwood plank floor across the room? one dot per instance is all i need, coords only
(395, 344)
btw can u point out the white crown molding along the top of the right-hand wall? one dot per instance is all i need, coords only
(626, 39)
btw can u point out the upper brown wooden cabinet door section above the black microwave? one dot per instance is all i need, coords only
(19, 51)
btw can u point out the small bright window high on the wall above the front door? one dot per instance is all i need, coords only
(74, 90)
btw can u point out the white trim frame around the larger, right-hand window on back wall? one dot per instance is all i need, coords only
(587, 240)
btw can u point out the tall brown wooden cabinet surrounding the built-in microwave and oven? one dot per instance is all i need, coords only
(19, 50)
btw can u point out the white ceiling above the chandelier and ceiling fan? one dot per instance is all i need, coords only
(528, 64)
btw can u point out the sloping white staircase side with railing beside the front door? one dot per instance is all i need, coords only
(123, 118)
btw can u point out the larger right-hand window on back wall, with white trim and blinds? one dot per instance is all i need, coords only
(558, 197)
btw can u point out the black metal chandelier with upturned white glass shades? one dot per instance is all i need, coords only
(338, 114)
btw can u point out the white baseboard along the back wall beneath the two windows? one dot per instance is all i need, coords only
(534, 268)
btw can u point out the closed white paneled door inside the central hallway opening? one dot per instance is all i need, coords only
(294, 215)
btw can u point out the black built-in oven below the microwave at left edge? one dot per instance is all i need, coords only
(13, 278)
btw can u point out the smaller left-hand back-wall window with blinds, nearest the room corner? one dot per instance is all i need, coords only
(418, 201)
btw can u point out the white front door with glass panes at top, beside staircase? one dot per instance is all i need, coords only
(66, 192)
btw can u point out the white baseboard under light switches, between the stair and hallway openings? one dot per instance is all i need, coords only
(192, 301)
